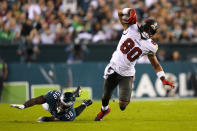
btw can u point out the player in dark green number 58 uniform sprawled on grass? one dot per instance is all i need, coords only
(60, 105)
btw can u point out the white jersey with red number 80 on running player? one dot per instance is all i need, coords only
(130, 48)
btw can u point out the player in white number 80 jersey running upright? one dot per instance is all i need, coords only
(135, 42)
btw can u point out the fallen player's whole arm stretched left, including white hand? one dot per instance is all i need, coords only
(31, 102)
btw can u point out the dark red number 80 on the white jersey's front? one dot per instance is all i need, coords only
(128, 48)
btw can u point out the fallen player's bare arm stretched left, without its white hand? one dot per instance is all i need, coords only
(35, 101)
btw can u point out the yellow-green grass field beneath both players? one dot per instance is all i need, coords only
(151, 115)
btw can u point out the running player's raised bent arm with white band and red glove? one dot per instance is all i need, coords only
(127, 17)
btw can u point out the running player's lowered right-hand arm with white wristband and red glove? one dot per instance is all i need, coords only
(158, 69)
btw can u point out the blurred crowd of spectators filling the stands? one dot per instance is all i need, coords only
(65, 21)
